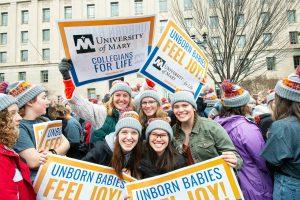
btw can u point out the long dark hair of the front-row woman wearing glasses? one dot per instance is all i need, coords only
(166, 162)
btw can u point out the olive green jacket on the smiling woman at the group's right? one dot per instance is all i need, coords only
(207, 140)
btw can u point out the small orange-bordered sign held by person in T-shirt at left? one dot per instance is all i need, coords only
(48, 135)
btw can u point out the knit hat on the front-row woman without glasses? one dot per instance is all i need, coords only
(129, 119)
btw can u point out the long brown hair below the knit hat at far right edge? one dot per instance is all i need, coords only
(285, 108)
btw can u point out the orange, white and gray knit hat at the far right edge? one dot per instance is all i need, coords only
(289, 88)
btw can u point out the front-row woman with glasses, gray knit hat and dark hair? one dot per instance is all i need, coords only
(160, 155)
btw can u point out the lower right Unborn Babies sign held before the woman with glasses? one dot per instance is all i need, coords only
(212, 179)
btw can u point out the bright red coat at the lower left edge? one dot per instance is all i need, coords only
(14, 177)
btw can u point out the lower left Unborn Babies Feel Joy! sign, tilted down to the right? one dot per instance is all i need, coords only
(67, 178)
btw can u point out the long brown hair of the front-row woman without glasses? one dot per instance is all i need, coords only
(118, 159)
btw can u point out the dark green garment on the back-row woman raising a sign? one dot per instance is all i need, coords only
(108, 126)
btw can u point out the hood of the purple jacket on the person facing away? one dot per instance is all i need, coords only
(229, 123)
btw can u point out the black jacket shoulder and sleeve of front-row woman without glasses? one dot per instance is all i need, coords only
(101, 154)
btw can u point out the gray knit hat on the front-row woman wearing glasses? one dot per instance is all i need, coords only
(159, 124)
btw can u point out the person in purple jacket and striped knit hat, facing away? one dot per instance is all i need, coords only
(248, 141)
